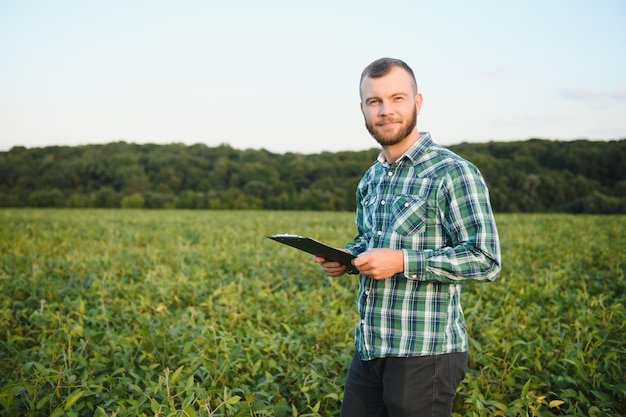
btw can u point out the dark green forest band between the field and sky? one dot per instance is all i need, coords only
(536, 175)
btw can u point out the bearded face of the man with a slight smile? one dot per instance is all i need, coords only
(390, 106)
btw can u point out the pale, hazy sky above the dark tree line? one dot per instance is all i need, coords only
(283, 75)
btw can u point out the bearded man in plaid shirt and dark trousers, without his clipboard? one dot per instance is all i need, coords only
(425, 226)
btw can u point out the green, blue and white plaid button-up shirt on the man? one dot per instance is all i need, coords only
(433, 205)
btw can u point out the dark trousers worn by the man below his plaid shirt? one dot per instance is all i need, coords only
(422, 386)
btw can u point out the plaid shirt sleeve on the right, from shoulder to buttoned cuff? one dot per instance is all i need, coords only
(472, 251)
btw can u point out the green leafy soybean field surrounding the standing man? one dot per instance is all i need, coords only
(197, 313)
